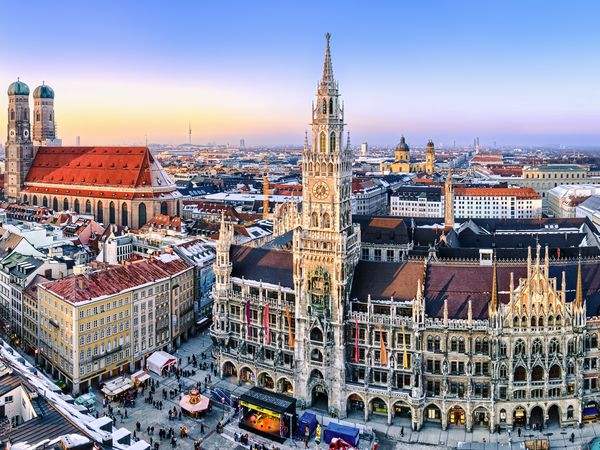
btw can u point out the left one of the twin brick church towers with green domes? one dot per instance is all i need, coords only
(18, 148)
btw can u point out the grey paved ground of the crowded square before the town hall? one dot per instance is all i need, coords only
(388, 437)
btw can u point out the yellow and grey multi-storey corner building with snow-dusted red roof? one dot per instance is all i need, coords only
(98, 325)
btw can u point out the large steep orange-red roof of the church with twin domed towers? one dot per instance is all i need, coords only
(92, 166)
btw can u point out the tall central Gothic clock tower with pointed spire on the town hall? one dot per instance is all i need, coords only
(326, 250)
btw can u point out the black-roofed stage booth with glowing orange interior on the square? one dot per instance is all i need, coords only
(267, 413)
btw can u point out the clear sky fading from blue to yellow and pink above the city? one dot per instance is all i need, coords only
(521, 73)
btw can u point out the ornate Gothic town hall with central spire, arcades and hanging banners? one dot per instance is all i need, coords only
(491, 342)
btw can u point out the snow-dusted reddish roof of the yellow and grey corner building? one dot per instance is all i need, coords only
(80, 288)
